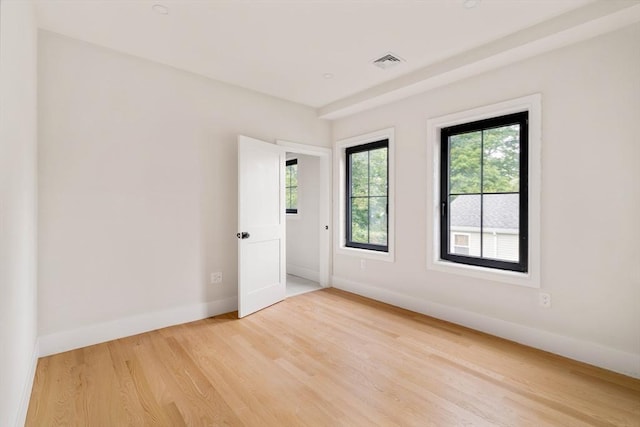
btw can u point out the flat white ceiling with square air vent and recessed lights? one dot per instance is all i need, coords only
(284, 47)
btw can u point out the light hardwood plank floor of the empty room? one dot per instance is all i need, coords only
(325, 358)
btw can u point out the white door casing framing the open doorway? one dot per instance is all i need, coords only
(324, 214)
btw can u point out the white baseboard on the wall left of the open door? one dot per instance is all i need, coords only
(59, 342)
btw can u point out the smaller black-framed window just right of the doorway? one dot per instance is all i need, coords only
(367, 204)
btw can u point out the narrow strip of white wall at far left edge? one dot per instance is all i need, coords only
(18, 205)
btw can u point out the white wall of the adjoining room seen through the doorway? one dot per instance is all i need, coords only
(303, 230)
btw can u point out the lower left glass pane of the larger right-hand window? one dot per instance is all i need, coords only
(464, 216)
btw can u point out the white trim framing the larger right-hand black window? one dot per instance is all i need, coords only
(530, 103)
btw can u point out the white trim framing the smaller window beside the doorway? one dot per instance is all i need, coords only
(339, 191)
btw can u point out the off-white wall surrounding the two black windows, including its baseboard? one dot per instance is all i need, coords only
(590, 205)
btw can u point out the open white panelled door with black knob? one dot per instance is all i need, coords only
(261, 225)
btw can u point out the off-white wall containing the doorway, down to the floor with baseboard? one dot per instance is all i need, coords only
(138, 176)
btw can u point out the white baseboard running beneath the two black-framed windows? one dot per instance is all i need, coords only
(573, 348)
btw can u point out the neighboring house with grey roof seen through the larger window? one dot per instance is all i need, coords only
(500, 224)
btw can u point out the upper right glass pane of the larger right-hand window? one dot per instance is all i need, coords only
(501, 169)
